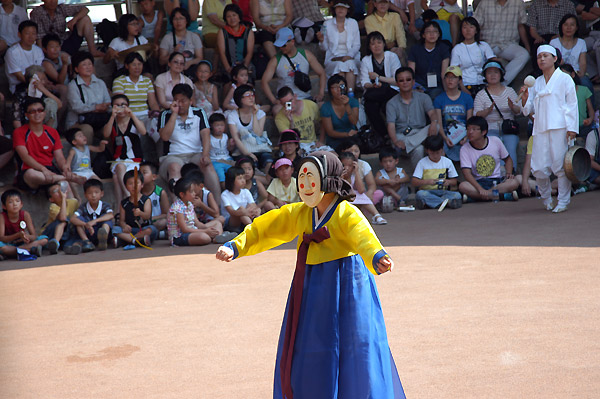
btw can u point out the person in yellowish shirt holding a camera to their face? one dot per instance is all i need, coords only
(302, 115)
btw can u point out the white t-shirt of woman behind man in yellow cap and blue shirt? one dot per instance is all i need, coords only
(470, 58)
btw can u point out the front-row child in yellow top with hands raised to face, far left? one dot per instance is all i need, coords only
(57, 227)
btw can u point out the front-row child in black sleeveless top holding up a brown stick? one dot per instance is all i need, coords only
(136, 213)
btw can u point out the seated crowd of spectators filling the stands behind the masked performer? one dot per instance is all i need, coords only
(169, 115)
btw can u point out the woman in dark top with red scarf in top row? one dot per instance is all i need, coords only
(235, 40)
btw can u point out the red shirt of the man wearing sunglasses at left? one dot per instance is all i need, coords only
(40, 148)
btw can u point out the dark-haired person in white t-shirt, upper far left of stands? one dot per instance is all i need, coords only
(22, 55)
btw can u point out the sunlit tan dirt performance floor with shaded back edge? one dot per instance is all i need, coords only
(488, 301)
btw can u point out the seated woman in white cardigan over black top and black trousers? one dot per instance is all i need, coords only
(377, 78)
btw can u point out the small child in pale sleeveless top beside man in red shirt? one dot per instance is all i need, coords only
(79, 157)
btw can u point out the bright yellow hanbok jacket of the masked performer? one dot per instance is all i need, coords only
(350, 232)
